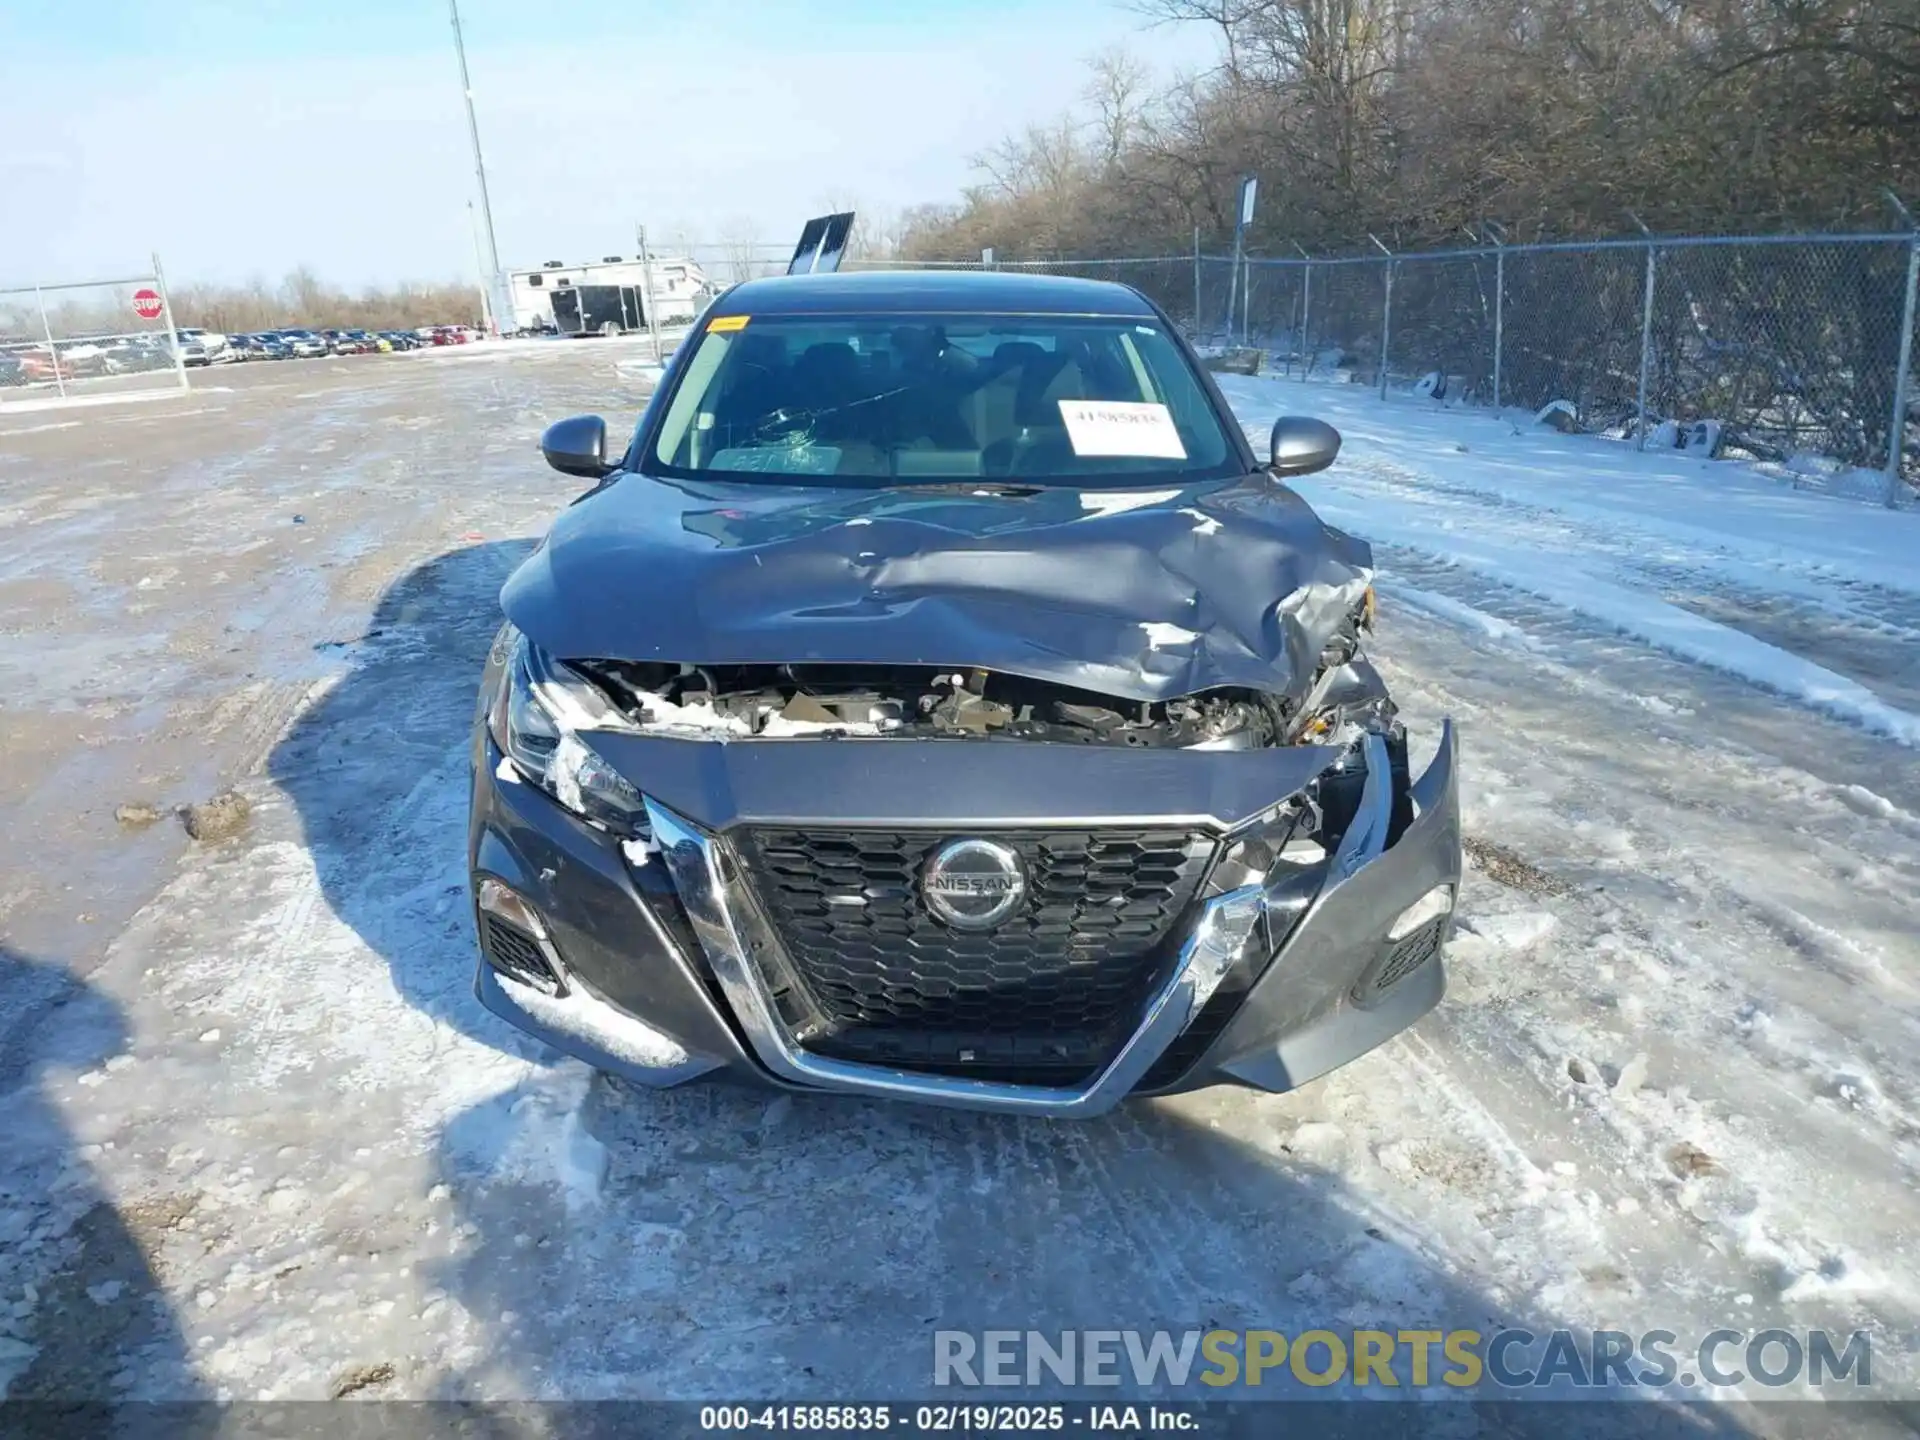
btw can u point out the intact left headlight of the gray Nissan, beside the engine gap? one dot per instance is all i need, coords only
(544, 721)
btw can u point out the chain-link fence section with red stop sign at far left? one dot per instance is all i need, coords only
(76, 339)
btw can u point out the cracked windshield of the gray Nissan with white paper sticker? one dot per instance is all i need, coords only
(1040, 398)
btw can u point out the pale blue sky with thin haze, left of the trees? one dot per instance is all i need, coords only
(247, 137)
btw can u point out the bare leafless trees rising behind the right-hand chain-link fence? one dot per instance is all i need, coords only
(1414, 118)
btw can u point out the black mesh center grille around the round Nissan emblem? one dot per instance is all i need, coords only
(1045, 997)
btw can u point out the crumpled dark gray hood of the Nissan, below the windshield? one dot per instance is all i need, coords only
(1147, 594)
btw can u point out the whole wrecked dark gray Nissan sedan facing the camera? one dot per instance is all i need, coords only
(873, 731)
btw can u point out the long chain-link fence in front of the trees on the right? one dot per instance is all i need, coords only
(1792, 347)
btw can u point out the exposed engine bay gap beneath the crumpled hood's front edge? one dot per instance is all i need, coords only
(926, 702)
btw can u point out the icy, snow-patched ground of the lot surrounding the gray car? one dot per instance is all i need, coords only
(264, 1143)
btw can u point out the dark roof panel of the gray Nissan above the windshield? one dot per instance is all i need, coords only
(984, 293)
